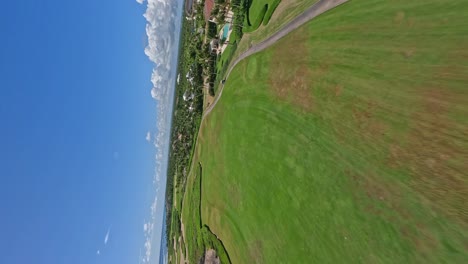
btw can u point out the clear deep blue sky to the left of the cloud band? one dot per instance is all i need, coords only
(75, 107)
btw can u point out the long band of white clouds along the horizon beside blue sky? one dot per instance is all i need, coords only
(163, 18)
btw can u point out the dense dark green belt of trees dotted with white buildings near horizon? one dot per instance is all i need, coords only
(186, 118)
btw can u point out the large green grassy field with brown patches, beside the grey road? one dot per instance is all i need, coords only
(346, 140)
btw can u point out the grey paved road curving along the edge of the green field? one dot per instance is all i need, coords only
(318, 8)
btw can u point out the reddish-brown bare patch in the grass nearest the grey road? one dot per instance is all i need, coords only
(291, 77)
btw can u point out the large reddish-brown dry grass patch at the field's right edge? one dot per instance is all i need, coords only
(436, 156)
